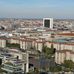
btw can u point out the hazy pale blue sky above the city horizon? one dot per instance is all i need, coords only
(37, 8)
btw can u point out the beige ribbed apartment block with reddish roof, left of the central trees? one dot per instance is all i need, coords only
(31, 43)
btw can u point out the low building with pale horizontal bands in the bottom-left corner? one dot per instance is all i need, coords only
(13, 67)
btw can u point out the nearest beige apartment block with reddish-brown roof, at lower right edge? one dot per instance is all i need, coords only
(62, 55)
